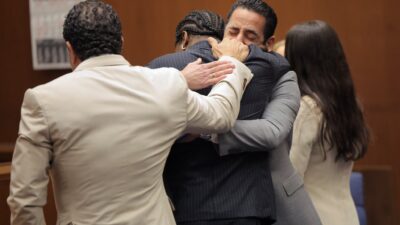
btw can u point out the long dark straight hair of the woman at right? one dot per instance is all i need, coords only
(315, 53)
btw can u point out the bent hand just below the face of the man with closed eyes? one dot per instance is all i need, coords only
(229, 47)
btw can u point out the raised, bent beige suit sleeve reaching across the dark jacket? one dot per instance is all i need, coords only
(218, 111)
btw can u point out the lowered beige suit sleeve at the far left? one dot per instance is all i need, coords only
(30, 164)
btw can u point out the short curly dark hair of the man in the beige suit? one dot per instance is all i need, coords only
(93, 28)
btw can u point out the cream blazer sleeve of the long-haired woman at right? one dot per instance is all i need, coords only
(305, 134)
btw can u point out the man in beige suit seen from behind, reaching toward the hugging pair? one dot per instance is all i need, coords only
(103, 132)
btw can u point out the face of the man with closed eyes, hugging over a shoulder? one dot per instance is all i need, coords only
(246, 26)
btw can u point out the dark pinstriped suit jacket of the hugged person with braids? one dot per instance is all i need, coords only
(205, 186)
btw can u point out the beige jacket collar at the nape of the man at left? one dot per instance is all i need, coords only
(103, 60)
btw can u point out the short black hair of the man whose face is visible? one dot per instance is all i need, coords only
(261, 8)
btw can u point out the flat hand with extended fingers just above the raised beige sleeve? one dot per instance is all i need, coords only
(200, 75)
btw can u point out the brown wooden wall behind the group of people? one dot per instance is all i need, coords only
(369, 31)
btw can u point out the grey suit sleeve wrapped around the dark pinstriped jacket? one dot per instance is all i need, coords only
(267, 133)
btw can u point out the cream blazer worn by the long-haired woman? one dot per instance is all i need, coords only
(327, 181)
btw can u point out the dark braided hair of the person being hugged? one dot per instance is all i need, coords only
(200, 22)
